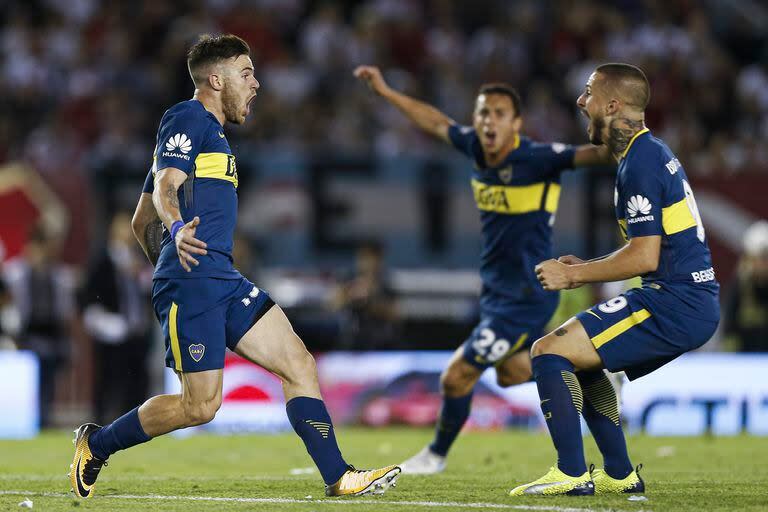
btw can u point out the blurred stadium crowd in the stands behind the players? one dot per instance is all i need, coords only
(71, 69)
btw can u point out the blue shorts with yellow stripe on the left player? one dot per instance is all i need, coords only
(202, 317)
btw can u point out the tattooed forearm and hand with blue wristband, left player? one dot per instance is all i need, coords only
(166, 200)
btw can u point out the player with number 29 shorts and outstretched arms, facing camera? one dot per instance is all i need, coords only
(516, 185)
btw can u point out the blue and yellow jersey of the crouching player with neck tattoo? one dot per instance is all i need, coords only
(653, 197)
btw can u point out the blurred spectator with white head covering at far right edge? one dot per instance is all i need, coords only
(746, 312)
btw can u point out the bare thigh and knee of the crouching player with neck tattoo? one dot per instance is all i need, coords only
(570, 341)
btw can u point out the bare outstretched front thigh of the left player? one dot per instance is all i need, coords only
(273, 344)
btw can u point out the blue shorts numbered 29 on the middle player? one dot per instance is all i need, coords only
(499, 336)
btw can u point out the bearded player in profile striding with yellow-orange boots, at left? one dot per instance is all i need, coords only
(202, 302)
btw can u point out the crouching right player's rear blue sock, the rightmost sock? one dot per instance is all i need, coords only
(601, 412)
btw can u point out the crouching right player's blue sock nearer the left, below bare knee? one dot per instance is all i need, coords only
(561, 403)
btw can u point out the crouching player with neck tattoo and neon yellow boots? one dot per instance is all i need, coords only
(675, 310)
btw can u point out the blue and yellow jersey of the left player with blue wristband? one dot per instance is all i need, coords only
(191, 139)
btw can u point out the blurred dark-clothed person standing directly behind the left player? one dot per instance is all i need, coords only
(117, 315)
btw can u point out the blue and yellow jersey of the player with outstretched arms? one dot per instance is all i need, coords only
(517, 201)
